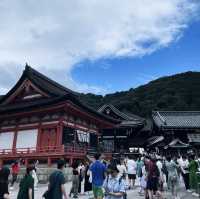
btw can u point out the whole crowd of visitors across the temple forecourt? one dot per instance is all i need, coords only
(109, 179)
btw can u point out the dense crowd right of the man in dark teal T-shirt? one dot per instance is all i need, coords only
(155, 174)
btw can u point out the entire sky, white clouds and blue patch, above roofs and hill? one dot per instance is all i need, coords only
(99, 46)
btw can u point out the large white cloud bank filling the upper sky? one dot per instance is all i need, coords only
(56, 35)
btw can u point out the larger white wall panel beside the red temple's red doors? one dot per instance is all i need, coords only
(27, 138)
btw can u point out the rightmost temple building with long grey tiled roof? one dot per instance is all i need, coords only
(176, 130)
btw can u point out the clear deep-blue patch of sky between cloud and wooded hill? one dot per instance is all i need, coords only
(125, 73)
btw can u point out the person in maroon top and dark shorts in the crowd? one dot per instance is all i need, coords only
(153, 175)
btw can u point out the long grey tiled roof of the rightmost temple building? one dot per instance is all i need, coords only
(177, 119)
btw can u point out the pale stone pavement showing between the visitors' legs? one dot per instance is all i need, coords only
(132, 194)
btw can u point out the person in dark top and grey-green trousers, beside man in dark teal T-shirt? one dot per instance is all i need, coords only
(75, 181)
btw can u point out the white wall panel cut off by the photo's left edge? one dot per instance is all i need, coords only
(6, 140)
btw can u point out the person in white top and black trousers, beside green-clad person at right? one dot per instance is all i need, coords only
(184, 164)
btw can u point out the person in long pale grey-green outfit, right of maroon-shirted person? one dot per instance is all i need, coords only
(172, 176)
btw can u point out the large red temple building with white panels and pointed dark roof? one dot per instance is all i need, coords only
(42, 120)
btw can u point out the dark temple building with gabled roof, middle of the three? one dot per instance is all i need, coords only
(129, 134)
